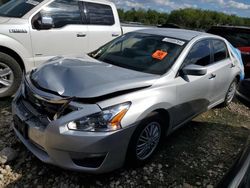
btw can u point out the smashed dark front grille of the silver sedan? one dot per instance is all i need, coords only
(34, 108)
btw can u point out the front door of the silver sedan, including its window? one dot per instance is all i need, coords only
(194, 93)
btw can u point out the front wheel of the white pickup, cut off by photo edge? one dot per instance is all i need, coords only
(10, 75)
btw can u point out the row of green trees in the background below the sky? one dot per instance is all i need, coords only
(187, 18)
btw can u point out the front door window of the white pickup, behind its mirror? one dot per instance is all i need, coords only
(62, 12)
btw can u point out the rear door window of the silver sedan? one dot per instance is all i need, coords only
(220, 50)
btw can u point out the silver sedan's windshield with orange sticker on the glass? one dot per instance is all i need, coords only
(141, 52)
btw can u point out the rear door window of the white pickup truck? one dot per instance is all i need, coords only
(99, 14)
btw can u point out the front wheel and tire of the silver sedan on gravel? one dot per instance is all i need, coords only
(135, 156)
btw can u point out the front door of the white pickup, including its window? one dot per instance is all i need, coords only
(68, 35)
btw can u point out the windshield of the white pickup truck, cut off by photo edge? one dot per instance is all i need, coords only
(17, 9)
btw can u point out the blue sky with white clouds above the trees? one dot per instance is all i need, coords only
(237, 7)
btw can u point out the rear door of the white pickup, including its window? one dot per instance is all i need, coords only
(103, 24)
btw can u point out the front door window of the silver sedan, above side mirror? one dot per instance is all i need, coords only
(200, 54)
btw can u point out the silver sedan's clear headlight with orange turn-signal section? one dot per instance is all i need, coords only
(107, 120)
